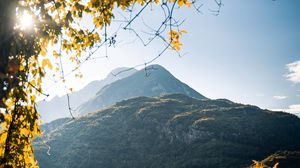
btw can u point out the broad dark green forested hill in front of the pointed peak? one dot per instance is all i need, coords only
(169, 131)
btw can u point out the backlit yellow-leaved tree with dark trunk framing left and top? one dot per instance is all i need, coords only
(28, 28)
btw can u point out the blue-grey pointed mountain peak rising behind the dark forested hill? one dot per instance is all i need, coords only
(159, 82)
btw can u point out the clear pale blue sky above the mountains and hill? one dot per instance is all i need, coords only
(242, 54)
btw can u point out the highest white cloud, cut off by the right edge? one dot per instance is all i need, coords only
(294, 72)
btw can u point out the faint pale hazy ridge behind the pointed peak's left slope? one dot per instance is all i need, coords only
(58, 106)
